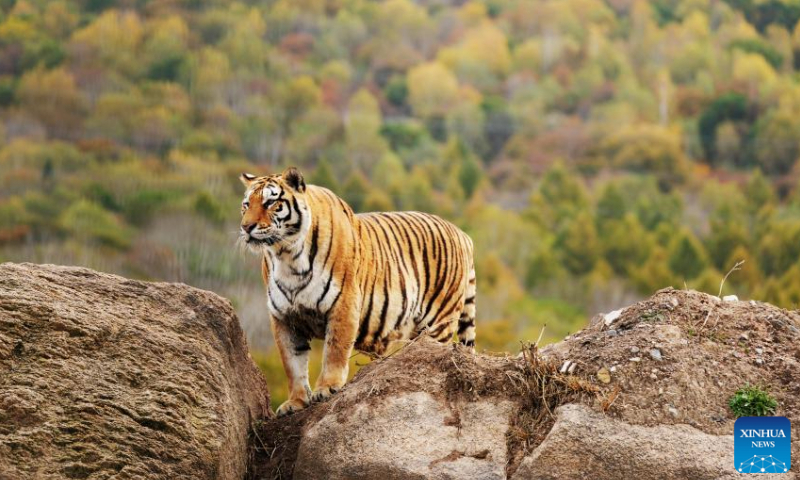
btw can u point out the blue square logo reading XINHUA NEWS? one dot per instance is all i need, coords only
(762, 445)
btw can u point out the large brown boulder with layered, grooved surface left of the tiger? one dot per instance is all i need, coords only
(104, 377)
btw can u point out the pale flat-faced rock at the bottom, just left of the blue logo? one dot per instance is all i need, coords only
(585, 444)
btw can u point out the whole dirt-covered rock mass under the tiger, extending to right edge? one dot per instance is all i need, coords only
(640, 393)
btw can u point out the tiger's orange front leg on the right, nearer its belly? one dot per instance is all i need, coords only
(340, 335)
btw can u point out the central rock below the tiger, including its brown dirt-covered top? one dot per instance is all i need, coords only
(410, 434)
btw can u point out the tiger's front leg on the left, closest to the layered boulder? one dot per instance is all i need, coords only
(294, 355)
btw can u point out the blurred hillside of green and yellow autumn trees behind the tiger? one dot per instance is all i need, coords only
(595, 151)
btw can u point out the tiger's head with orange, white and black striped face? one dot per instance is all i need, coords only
(274, 209)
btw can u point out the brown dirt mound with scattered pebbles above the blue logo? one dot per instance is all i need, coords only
(679, 356)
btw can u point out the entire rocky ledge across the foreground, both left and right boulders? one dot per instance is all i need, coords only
(103, 377)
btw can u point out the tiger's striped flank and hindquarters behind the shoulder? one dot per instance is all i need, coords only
(416, 276)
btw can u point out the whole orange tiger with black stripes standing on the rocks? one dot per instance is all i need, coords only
(354, 280)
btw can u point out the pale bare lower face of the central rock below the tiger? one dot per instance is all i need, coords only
(473, 449)
